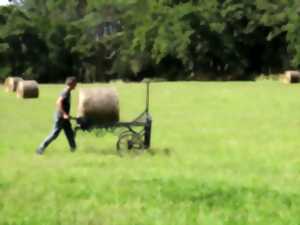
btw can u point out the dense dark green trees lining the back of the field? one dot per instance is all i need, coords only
(101, 40)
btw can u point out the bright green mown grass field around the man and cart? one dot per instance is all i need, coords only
(222, 153)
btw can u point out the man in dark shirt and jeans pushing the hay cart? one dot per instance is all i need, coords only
(62, 117)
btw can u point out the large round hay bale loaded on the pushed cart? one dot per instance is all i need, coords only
(98, 105)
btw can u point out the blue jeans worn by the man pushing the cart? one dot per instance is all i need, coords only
(59, 124)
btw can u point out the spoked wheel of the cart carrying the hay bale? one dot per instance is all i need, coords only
(130, 142)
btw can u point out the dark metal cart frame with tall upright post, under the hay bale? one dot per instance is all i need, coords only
(143, 122)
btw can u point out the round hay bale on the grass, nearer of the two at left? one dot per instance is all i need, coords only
(28, 89)
